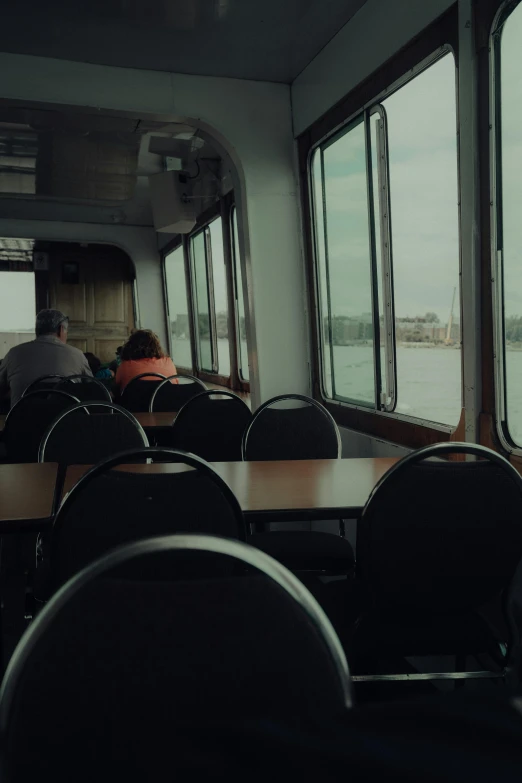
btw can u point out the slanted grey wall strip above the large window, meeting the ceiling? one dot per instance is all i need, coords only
(376, 32)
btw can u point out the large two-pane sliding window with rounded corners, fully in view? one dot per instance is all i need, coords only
(385, 204)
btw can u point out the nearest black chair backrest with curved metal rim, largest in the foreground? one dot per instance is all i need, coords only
(120, 662)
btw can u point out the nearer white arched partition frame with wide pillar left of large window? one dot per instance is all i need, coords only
(252, 123)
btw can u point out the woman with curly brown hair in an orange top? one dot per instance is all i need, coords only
(143, 353)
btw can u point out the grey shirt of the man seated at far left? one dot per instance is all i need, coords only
(46, 355)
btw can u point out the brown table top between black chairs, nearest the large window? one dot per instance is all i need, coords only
(319, 488)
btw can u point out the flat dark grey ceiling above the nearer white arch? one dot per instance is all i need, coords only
(269, 40)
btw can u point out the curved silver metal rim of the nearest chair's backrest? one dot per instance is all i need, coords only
(125, 554)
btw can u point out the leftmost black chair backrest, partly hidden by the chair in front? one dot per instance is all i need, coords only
(28, 421)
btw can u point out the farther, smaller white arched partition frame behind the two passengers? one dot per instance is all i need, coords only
(138, 243)
